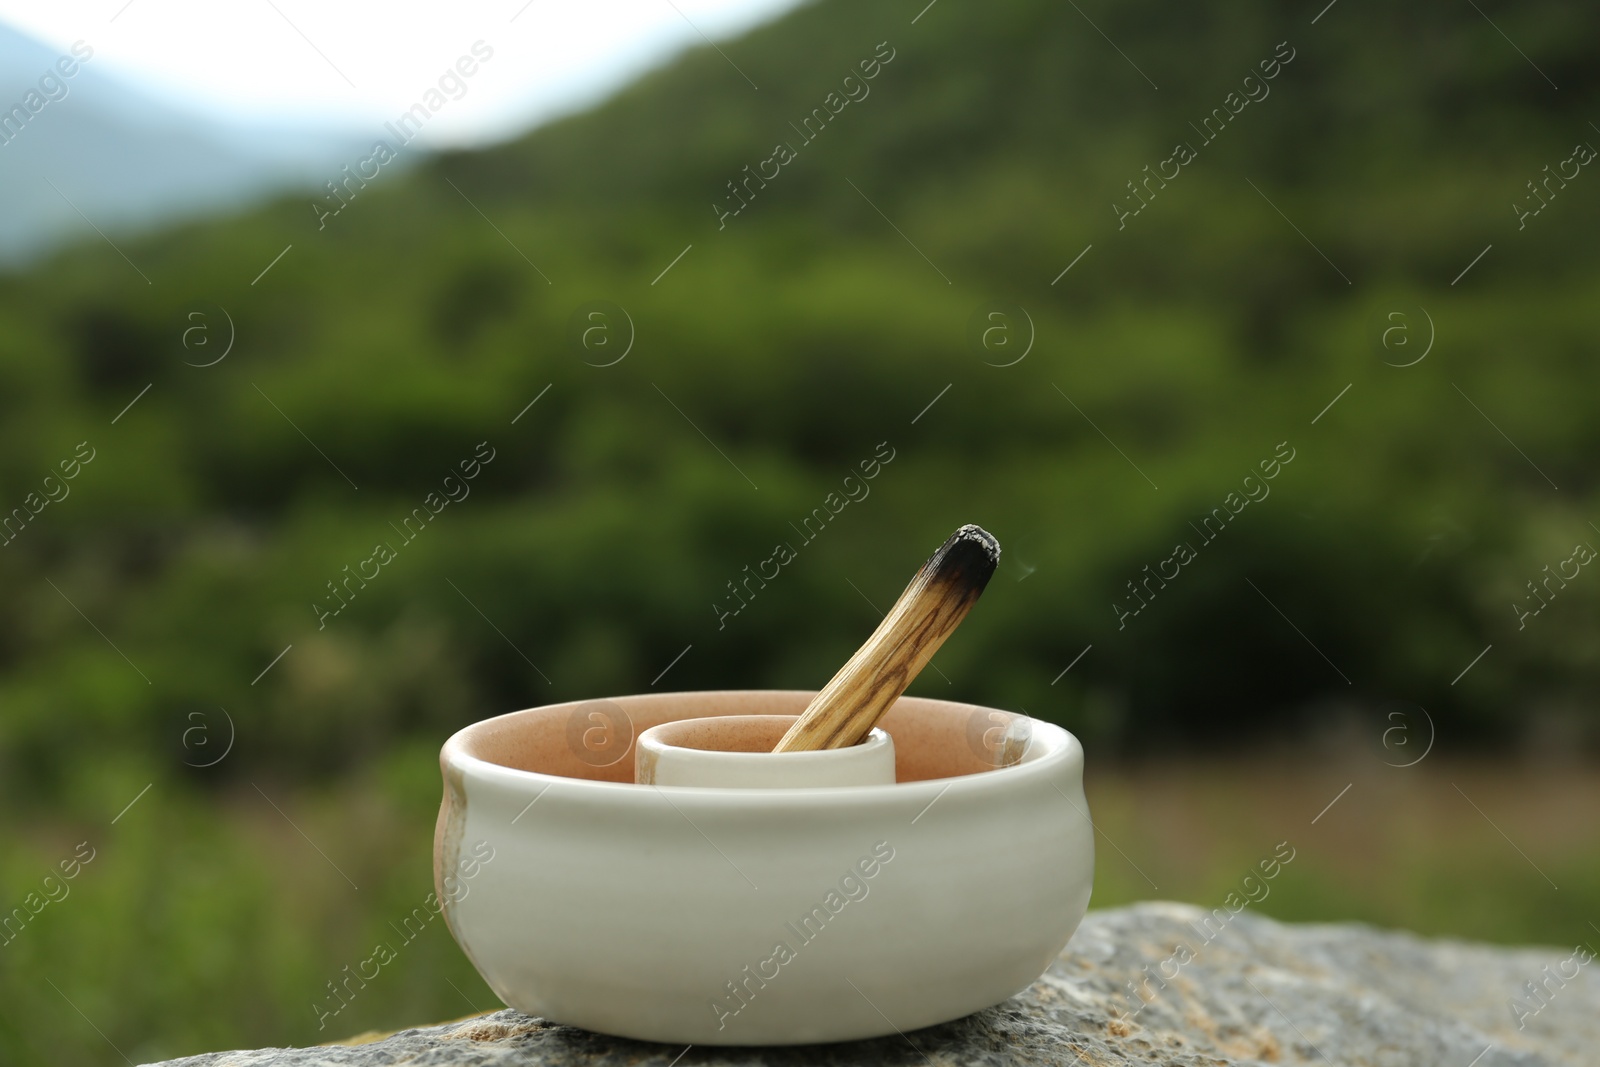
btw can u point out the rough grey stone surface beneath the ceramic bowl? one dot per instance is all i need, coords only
(1254, 993)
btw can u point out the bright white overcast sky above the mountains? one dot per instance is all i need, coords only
(359, 63)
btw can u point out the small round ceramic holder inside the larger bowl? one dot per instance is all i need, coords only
(737, 753)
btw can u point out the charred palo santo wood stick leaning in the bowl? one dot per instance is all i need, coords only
(929, 612)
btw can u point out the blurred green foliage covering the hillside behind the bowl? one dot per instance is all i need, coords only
(778, 353)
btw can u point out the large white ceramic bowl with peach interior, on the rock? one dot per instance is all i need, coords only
(759, 917)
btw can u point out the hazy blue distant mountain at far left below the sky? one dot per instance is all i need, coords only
(127, 161)
